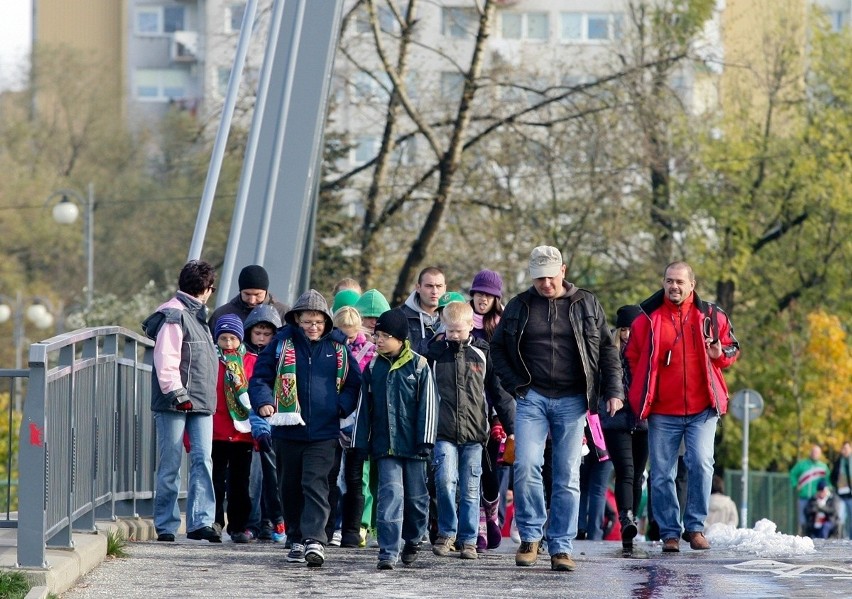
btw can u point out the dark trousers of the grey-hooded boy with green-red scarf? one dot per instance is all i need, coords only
(303, 468)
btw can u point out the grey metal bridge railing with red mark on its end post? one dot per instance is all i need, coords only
(87, 445)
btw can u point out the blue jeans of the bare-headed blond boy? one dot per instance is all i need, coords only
(458, 466)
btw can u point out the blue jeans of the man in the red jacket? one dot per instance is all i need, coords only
(664, 437)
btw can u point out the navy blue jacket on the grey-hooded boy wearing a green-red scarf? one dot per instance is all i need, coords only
(316, 373)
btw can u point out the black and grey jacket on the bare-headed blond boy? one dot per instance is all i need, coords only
(463, 379)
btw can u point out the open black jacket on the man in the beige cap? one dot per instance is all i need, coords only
(598, 354)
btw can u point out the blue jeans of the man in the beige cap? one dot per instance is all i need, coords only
(564, 418)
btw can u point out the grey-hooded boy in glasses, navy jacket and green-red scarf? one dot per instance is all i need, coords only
(304, 381)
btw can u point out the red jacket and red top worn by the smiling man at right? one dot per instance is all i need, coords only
(691, 382)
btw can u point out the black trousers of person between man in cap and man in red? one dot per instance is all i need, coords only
(629, 454)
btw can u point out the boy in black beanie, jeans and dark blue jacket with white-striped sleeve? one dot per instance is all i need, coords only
(396, 423)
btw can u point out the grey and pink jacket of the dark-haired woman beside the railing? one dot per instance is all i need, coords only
(185, 359)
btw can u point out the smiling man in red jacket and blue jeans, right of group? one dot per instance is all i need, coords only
(678, 347)
